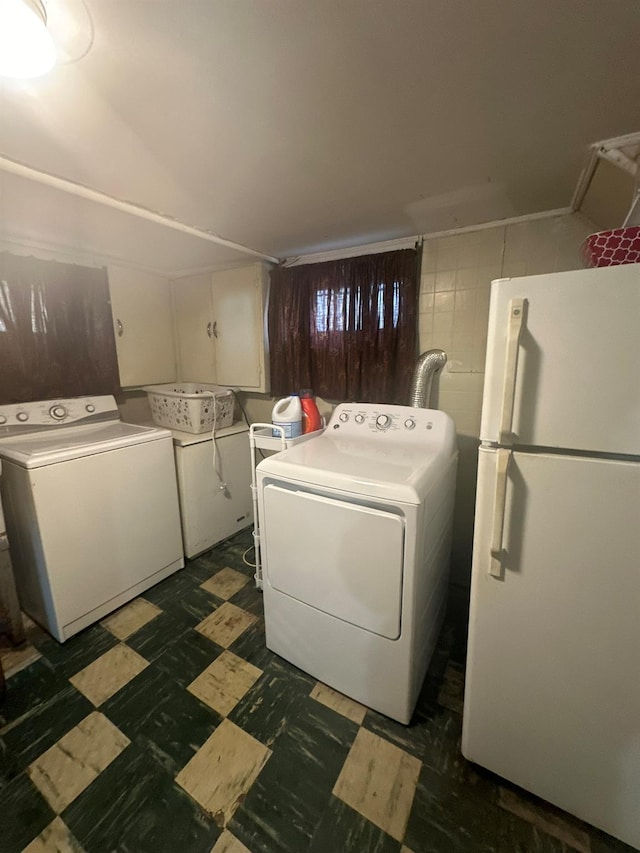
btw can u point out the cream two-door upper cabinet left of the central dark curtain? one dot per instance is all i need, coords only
(220, 327)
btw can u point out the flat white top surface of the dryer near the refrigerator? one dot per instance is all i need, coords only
(362, 466)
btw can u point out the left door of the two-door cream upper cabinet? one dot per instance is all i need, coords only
(194, 328)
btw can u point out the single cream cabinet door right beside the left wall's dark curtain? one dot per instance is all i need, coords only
(141, 309)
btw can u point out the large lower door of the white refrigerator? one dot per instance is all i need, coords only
(552, 698)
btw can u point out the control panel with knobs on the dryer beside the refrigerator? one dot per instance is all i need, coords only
(366, 419)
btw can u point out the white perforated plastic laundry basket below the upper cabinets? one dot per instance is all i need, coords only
(190, 406)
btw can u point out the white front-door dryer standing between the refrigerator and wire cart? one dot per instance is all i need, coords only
(355, 531)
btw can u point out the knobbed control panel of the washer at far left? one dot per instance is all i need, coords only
(48, 414)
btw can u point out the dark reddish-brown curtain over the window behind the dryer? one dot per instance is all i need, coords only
(346, 328)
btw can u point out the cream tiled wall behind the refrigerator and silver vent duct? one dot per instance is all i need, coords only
(457, 271)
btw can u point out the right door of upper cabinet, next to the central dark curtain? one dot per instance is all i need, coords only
(239, 297)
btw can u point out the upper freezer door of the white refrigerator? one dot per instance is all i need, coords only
(576, 382)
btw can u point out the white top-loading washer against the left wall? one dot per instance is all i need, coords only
(91, 508)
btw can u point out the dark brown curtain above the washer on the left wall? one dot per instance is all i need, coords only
(56, 331)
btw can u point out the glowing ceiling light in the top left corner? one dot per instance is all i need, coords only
(26, 48)
